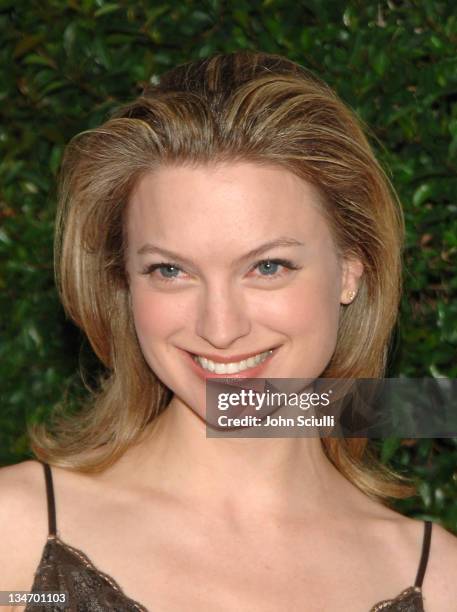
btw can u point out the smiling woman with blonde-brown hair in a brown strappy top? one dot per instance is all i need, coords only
(235, 211)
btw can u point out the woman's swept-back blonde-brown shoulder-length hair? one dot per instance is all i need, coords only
(241, 106)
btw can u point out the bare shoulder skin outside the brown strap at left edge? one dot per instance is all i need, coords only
(23, 523)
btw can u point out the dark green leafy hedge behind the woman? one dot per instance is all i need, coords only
(65, 65)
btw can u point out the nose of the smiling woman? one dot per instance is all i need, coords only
(222, 316)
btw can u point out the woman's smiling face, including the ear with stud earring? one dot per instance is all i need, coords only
(232, 262)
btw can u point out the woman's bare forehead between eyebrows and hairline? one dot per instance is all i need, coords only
(222, 205)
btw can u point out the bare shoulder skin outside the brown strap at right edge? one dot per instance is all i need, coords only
(440, 583)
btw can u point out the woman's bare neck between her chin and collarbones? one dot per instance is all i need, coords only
(262, 477)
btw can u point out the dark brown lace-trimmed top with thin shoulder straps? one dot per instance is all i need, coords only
(63, 568)
